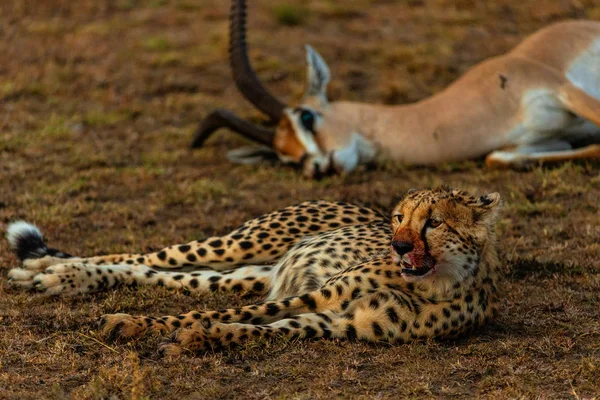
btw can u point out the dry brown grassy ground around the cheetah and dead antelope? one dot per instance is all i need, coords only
(99, 100)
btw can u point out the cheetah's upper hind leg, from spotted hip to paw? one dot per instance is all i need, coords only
(261, 240)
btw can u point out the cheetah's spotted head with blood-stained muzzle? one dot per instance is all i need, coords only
(440, 234)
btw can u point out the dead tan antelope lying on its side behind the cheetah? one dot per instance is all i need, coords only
(538, 102)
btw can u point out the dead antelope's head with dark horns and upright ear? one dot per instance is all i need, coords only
(313, 135)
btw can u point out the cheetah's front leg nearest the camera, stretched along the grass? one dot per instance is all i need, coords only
(377, 317)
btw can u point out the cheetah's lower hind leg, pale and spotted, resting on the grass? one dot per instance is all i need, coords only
(77, 278)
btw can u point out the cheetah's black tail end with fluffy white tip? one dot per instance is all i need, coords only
(28, 242)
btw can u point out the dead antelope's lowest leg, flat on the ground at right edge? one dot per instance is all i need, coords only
(517, 159)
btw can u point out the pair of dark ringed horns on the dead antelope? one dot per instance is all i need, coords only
(248, 84)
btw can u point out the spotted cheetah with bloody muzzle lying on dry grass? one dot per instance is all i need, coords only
(327, 270)
